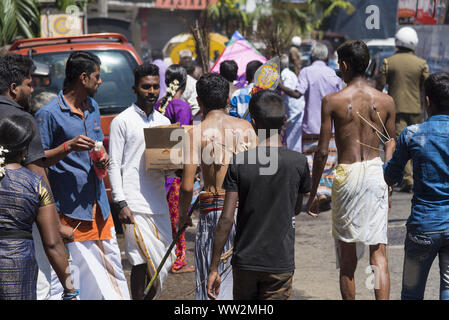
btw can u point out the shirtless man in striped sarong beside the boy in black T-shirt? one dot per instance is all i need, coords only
(212, 144)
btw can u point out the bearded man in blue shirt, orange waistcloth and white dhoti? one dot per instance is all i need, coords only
(70, 127)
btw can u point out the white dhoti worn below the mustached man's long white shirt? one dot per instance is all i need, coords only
(147, 242)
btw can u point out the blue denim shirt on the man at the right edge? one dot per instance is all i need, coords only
(427, 145)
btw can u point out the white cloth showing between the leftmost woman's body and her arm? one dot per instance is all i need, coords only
(44, 272)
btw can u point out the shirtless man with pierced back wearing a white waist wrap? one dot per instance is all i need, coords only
(361, 116)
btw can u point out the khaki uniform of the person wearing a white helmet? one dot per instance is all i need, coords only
(404, 73)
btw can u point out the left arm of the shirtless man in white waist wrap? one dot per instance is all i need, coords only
(320, 155)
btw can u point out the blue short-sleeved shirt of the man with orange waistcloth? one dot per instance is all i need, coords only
(73, 180)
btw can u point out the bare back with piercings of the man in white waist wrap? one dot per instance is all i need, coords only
(362, 116)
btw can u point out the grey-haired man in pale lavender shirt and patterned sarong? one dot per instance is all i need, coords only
(315, 82)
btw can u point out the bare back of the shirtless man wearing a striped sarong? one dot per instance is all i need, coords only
(222, 136)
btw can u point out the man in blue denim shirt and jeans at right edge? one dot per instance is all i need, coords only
(427, 145)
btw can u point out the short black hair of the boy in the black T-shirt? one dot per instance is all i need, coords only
(267, 109)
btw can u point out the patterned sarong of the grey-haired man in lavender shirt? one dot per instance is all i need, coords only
(309, 146)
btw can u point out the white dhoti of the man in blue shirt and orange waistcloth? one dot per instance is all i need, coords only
(96, 271)
